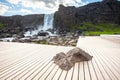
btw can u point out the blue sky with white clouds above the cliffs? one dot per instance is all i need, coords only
(25, 7)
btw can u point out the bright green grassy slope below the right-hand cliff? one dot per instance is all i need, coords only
(91, 29)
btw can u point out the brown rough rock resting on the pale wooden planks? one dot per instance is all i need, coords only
(67, 61)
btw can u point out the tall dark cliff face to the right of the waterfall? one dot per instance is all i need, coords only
(107, 11)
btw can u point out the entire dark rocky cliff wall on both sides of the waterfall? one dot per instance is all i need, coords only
(65, 19)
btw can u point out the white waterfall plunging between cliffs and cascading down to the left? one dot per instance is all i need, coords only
(48, 24)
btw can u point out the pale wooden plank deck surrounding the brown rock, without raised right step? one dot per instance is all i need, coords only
(21, 61)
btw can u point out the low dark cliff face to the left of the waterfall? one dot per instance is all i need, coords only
(18, 24)
